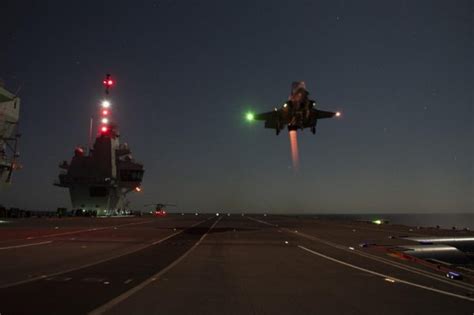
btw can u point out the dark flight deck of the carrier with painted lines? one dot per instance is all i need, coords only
(207, 264)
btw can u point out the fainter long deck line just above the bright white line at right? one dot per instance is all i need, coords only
(421, 272)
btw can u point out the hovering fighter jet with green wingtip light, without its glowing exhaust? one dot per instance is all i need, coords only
(299, 112)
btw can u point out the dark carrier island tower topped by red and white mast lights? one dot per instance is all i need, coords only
(99, 180)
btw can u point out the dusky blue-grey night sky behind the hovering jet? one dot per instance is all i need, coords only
(401, 72)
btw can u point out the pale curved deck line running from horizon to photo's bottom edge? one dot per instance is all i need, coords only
(122, 297)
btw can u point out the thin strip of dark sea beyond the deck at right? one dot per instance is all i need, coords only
(444, 220)
